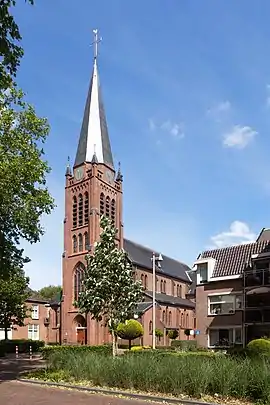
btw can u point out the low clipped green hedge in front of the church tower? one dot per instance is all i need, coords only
(47, 351)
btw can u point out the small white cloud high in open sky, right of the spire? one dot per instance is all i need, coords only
(239, 137)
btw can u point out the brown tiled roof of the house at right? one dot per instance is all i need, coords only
(232, 260)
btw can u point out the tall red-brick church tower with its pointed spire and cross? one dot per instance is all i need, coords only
(93, 188)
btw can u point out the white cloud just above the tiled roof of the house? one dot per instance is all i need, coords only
(238, 233)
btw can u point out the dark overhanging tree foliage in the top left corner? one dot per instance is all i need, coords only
(10, 50)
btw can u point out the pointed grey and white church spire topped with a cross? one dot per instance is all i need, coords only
(94, 137)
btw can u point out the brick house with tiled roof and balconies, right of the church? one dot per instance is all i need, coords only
(232, 293)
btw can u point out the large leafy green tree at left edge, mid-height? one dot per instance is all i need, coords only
(24, 197)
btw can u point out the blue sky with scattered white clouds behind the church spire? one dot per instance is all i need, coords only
(186, 86)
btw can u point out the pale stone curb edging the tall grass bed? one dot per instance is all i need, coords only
(125, 394)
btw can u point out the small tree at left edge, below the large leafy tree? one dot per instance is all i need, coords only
(13, 293)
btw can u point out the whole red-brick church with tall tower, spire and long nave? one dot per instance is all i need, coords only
(94, 187)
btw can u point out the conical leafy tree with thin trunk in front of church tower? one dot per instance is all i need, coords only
(109, 290)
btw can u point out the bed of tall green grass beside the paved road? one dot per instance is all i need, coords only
(184, 374)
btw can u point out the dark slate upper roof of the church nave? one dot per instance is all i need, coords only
(141, 256)
